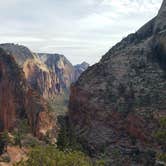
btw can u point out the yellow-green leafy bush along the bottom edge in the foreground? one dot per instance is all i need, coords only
(51, 156)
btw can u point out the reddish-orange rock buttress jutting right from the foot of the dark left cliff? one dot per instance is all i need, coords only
(41, 120)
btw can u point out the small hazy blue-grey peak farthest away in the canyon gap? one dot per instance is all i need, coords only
(80, 68)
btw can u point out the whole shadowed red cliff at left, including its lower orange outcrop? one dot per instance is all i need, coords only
(18, 101)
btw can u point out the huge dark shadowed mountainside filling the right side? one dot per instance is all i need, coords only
(121, 97)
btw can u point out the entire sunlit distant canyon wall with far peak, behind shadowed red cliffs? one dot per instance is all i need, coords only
(49, 74)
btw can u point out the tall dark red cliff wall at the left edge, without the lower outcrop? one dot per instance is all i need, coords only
(12, 92)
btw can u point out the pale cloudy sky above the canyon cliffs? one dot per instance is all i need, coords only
(82, 30)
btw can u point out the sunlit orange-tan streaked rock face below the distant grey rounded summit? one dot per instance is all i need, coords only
(41, 79)
